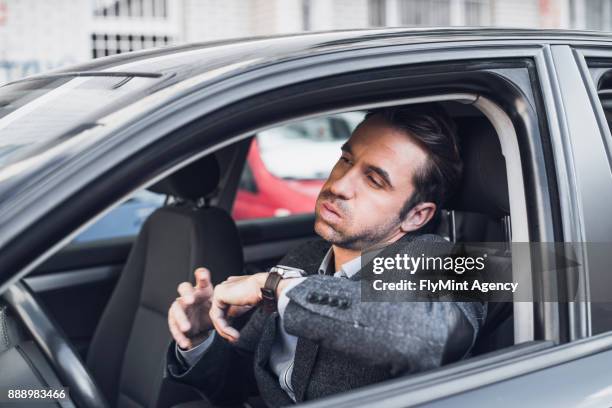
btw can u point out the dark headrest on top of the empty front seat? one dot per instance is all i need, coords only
(197, 180)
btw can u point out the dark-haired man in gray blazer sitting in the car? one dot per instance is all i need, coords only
(293, 336)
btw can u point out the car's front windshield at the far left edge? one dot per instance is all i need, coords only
(35, 114)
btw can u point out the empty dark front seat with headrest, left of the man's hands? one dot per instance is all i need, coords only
(127, 353)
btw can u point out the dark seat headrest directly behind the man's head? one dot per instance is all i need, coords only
(484, 187)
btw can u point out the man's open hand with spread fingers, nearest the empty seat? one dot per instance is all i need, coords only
(188, 317)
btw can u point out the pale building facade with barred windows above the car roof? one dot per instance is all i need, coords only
(41, 35)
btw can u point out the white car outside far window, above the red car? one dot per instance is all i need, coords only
(309, 149)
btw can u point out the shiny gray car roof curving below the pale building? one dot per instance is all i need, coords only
(192, 59)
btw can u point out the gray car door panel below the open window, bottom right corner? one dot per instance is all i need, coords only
(526, 373)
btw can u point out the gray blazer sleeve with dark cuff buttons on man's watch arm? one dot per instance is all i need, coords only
(406, 335)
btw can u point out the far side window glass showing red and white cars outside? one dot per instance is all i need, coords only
(287, 166)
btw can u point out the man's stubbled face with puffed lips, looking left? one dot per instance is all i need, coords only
(360, 203)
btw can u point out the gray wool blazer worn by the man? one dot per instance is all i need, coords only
(342, 344)
